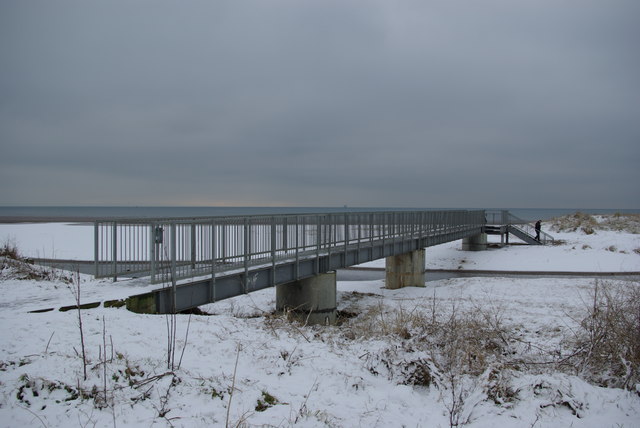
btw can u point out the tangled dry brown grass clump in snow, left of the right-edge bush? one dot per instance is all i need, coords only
(452, 348)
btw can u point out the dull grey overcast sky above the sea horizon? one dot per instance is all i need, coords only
(451, 103)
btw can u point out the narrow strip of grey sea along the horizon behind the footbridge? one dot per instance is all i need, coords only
(69, 213)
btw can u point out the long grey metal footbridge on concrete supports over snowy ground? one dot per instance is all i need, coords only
(203, 260)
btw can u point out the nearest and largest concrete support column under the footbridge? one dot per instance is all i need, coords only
(311, 300)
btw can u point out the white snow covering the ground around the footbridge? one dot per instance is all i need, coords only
(319, 376)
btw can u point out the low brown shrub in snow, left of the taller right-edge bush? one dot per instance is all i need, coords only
(433, 345)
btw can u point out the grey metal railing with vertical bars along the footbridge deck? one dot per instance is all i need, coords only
(172, 249)
